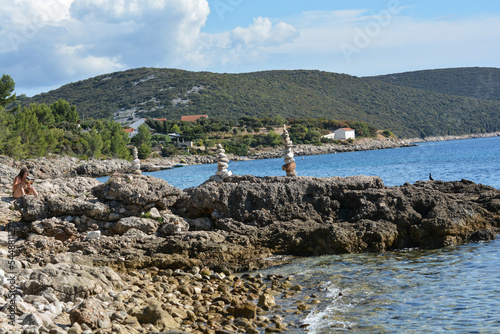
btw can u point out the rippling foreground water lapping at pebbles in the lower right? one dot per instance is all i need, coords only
(456, 289)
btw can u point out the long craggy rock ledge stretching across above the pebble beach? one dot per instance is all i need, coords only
(236, 222)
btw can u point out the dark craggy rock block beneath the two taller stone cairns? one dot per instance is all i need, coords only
(313, 216)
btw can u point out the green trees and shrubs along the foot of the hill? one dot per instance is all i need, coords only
(41, 129)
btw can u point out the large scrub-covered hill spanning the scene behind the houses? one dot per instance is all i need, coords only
(171, 93)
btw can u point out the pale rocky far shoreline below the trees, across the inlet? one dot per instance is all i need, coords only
(57, 167)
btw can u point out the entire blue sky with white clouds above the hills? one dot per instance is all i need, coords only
(45, 44)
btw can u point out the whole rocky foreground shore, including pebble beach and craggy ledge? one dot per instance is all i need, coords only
(137, 255)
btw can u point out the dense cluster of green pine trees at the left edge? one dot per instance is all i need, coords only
(40, 129)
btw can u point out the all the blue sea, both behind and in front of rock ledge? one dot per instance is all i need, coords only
(451, 290)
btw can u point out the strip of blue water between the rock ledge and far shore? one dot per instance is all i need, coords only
(477, 160)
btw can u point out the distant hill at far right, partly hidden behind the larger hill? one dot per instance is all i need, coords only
(476, 82)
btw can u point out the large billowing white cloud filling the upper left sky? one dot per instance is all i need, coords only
(67, 40)
